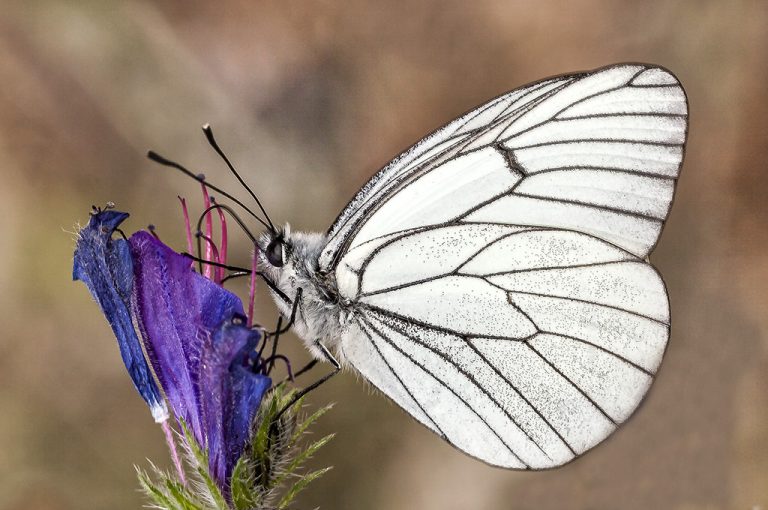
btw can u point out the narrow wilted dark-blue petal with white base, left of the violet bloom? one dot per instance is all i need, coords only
(104, 265)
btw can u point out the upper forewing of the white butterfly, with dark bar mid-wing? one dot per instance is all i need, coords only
(595, 152)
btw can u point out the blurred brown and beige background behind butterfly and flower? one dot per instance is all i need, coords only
(310, 99)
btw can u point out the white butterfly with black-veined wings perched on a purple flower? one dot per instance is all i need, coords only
(493, 279)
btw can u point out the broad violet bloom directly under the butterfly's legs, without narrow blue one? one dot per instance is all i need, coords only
(195, 335)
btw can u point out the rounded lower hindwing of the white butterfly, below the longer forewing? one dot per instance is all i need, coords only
(524, 352)
